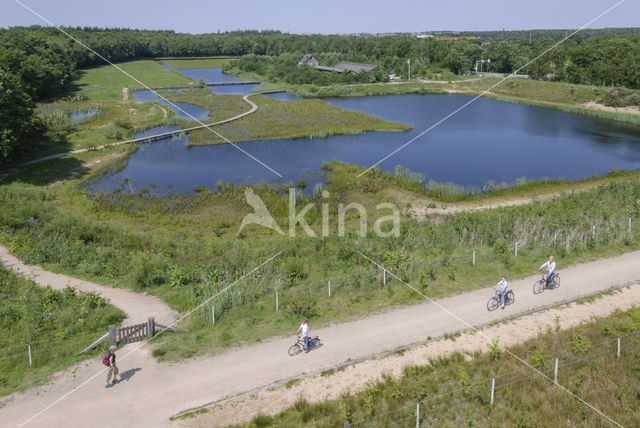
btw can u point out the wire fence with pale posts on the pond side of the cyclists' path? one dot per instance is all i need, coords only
(299, 297)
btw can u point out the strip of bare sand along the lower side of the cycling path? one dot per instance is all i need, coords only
(356, 377)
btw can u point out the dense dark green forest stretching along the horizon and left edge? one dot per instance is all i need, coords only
(39, 63)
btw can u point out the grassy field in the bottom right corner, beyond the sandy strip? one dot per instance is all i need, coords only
(455, 391)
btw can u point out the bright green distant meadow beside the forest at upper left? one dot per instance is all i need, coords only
(106, 82)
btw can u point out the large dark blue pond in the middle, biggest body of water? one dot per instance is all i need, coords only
(488, 140)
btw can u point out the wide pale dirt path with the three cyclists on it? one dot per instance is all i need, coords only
(153, 392)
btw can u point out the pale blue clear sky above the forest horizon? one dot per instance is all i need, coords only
(323, 16)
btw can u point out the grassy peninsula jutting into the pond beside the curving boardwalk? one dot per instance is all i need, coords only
(278, 119)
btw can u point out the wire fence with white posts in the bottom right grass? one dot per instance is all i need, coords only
(496, 387)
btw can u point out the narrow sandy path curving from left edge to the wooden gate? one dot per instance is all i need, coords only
(138, 307)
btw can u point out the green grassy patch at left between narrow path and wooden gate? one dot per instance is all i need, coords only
(57, 324)
